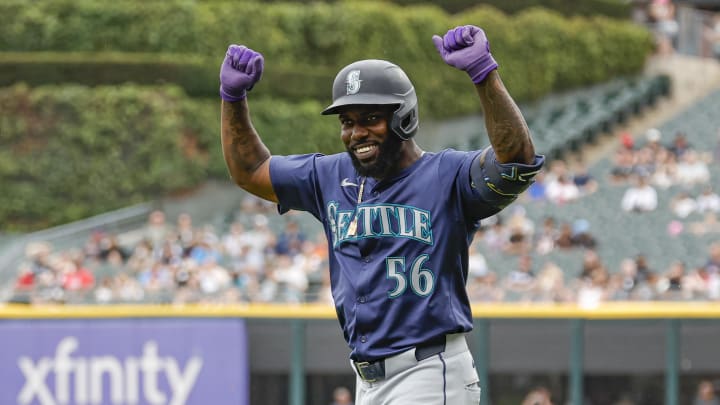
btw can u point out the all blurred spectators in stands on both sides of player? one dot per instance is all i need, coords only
(176, 260)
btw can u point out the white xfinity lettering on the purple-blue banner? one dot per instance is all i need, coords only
(130, 381)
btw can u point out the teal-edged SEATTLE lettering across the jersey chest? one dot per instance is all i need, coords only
(380, 220)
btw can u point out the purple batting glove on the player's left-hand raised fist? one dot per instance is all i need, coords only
(241, 69)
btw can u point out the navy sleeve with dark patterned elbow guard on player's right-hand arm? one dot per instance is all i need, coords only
(488, 186)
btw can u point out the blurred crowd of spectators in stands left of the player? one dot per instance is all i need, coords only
(180, 262)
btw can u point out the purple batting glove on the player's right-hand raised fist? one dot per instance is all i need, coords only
(467, 48)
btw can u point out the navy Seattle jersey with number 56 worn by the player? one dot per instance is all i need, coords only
(399, 259)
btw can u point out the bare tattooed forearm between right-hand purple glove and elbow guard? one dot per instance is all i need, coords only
(507, 129)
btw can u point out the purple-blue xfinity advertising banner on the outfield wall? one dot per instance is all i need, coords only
(124, 362)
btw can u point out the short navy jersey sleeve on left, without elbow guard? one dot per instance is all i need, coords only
(295, 182)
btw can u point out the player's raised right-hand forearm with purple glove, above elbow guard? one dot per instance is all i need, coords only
(467, 48)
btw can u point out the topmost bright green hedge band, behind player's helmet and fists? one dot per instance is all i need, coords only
(304, 45)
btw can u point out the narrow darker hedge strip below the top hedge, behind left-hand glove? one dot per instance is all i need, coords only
(197, 75)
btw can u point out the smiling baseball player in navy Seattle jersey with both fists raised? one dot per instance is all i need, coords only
(398, 220)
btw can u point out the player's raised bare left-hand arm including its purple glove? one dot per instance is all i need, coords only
(247, 158)
